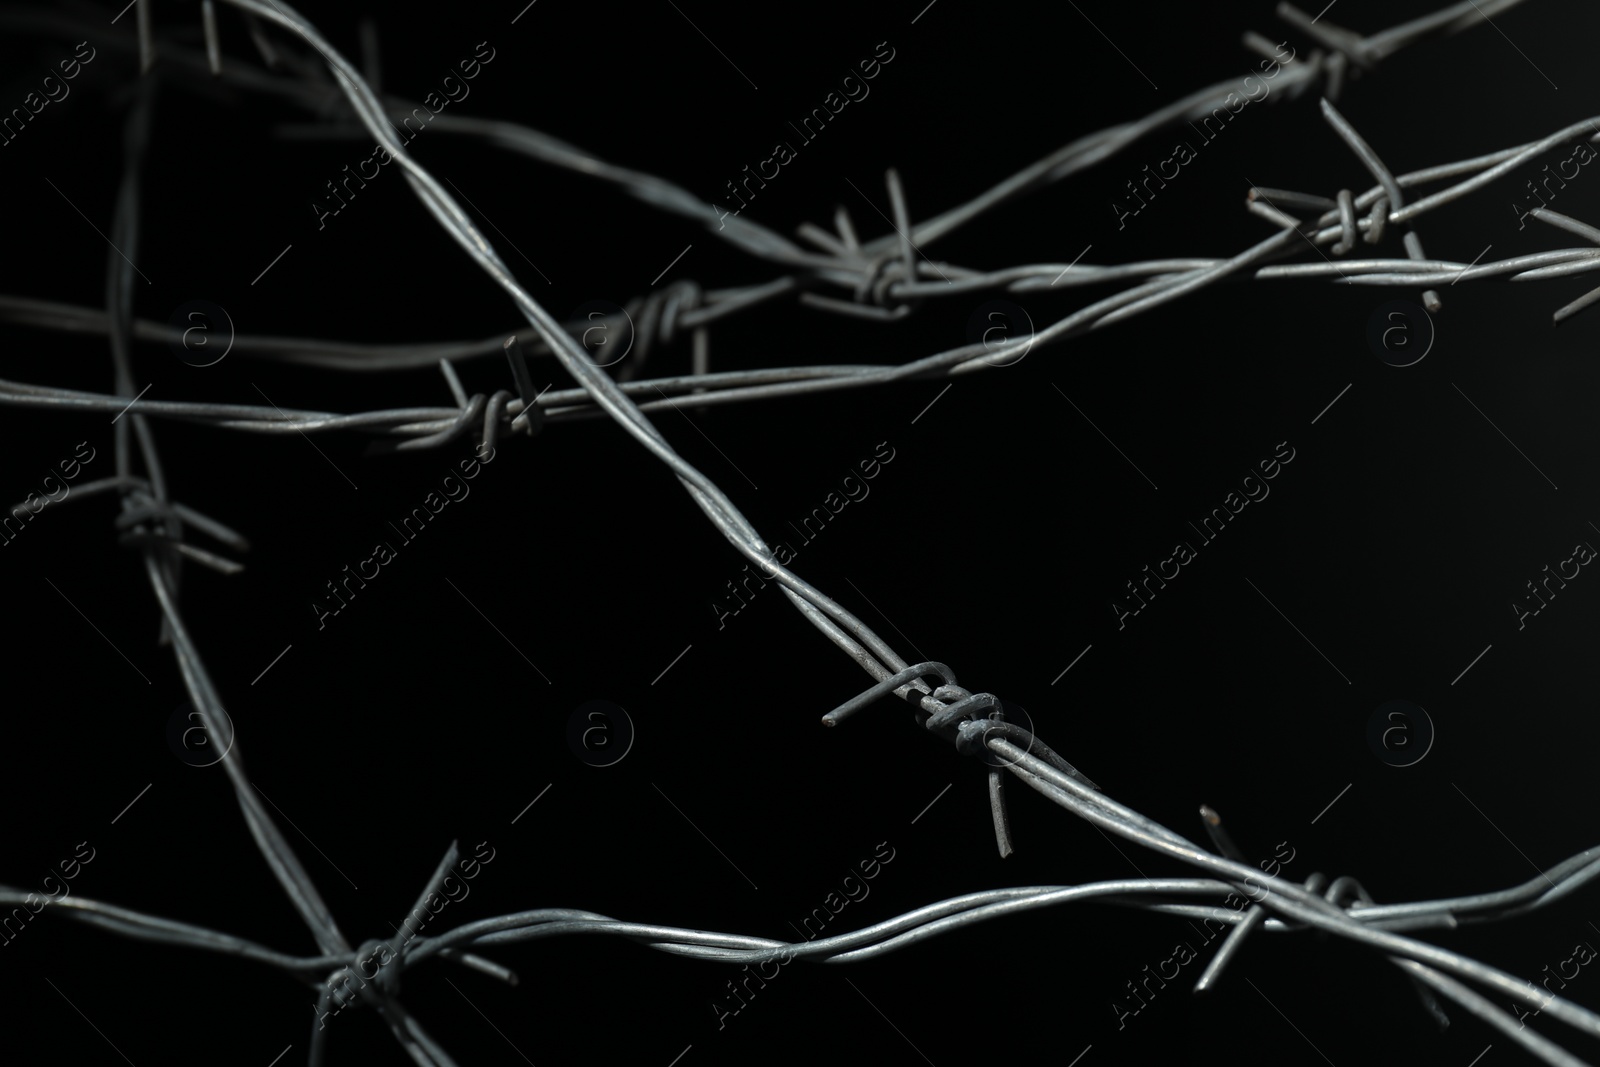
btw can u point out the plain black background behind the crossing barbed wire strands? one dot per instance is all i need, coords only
(993, 541)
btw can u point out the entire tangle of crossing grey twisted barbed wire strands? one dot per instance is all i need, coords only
(886, 279)
